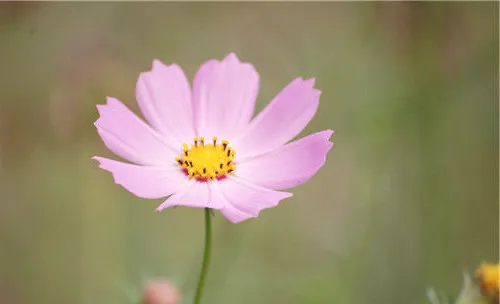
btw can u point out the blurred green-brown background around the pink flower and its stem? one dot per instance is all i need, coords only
(408, 198)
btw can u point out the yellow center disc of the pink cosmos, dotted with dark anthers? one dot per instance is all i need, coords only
(205, 161)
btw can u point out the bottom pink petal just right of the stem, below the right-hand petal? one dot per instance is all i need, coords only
(244, 200)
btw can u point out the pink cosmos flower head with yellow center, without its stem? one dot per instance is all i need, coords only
(201, 147)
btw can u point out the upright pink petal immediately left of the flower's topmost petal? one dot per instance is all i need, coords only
(164, 97)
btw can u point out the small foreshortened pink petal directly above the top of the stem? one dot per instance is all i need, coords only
(195, 194)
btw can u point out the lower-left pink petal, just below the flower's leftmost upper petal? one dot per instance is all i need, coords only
(144, 181)
